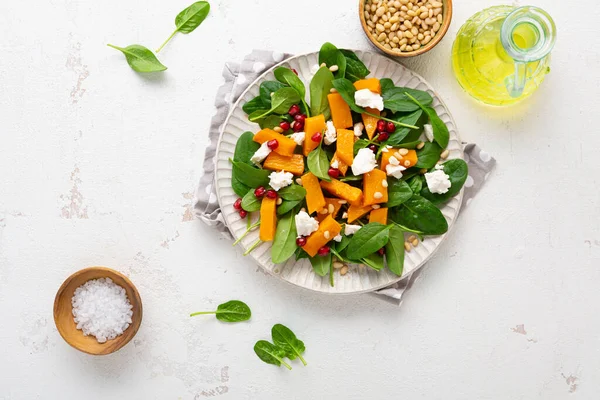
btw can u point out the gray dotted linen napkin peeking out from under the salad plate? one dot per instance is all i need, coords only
(237, 78)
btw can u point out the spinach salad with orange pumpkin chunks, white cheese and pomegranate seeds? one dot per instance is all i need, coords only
(356, 175)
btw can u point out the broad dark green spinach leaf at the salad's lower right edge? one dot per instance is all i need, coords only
(420, 214)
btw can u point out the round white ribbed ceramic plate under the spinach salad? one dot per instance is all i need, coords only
(359, 279)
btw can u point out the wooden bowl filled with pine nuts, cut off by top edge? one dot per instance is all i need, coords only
(405, 28)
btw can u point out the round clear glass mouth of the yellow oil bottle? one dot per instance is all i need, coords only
(528, 34)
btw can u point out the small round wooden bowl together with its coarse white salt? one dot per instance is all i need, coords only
(105, 303)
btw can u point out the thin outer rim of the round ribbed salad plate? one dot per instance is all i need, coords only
(423, 262)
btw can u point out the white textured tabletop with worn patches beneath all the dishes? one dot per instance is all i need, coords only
(97, 165)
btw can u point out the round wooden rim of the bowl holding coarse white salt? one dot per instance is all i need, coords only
(136, 318)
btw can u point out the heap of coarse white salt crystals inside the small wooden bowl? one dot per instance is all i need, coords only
(101, 309)
